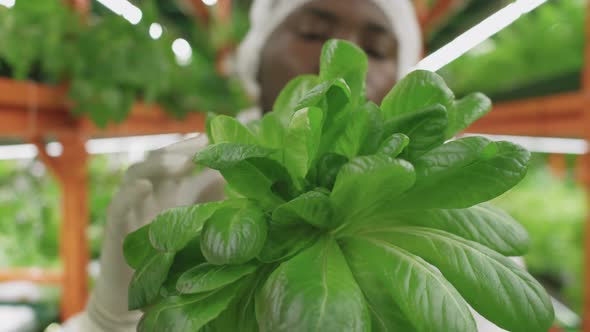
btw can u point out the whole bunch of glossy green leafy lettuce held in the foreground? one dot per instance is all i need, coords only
(344, 216)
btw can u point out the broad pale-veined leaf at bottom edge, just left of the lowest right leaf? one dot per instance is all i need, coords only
(404, 293)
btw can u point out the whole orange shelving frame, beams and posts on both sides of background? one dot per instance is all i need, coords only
(33, 112)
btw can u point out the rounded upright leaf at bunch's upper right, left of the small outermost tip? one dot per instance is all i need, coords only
(418, 90)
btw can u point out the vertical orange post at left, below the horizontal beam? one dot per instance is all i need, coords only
(73, 176)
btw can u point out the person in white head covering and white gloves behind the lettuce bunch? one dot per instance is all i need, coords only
(284, 41)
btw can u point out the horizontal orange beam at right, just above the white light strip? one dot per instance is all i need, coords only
(558, 116)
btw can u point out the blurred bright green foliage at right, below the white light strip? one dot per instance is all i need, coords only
(553, 210)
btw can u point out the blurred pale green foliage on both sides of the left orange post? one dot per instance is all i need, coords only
(30, 211)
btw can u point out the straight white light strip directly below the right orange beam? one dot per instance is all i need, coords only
(543, 144)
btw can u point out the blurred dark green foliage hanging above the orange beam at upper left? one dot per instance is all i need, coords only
(111, 63)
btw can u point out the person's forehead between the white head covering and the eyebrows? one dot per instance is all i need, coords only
(360, 13)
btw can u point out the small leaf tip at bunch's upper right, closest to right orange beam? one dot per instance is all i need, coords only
(466, 111)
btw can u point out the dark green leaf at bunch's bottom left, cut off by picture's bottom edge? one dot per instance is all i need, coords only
(187, 313)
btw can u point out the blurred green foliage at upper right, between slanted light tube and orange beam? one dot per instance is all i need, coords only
(543, 50)
